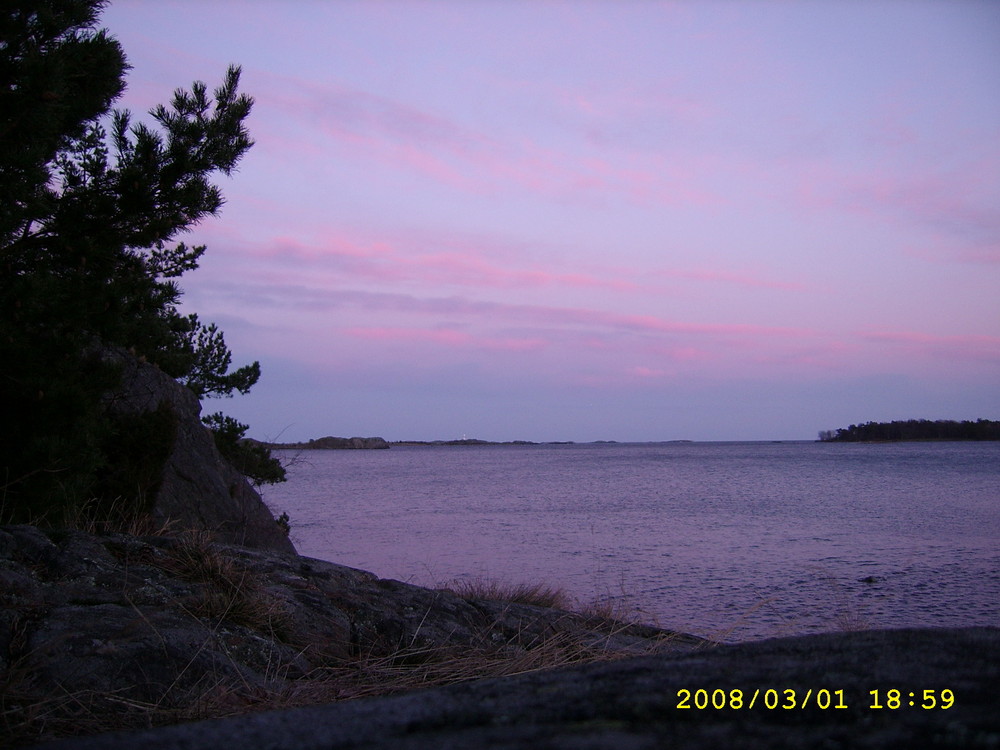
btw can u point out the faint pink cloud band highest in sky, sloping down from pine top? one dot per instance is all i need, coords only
(401, 135)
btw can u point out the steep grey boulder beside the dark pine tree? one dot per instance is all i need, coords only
(197, 489)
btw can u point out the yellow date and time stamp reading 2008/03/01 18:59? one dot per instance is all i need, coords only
(789, 699)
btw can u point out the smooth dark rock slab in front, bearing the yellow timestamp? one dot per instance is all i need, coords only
(634, 703)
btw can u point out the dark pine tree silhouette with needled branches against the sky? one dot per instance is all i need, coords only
(91, 206)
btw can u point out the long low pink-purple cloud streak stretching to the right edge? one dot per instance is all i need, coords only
(581, 344)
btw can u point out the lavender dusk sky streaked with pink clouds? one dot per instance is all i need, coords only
(596, 220)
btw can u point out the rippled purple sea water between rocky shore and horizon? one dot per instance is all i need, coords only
(733, 540)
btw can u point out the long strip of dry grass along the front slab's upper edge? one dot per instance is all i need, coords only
(27, 717)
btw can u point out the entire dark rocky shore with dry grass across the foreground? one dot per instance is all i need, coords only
(145, 635)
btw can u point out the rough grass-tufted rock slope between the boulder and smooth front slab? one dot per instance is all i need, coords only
(99, 632)
